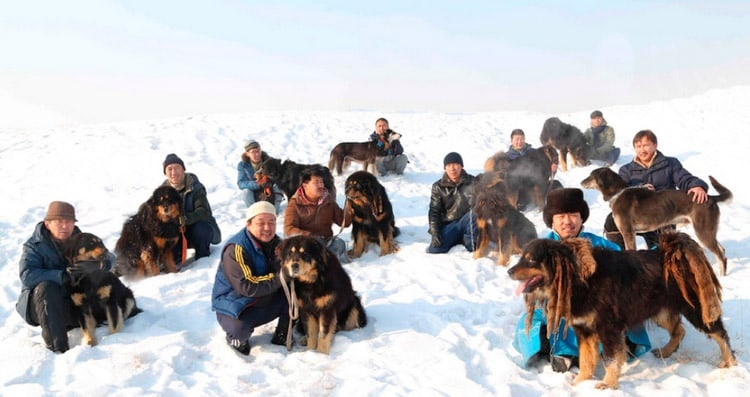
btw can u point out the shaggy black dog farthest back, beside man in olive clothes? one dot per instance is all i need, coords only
(566, 139)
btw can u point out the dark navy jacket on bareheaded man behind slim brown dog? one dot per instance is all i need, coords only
(665, 173)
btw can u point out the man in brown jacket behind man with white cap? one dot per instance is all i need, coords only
(312, 211)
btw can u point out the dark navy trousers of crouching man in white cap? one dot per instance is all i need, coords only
(242, 327)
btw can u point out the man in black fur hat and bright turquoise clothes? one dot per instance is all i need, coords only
(565, 213)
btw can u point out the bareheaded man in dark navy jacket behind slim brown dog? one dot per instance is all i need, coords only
(650, 168)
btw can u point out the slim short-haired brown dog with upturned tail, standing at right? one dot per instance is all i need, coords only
(640, 209)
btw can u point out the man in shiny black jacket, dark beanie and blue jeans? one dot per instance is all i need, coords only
(451, 218)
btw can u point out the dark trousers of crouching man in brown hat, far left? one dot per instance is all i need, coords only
(54, 312)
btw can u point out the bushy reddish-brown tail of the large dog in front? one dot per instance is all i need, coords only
(686, 265)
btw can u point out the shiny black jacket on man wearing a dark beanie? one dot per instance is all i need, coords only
(450, 201)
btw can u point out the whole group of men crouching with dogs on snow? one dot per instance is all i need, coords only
(247, 287)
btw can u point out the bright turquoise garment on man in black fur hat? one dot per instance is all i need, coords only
(531, 344)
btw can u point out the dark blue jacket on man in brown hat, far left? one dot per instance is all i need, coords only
(41, 260)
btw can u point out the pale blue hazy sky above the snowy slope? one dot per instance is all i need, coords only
(101, 60)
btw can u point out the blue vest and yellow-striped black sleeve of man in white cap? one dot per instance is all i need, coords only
(244, 276)
